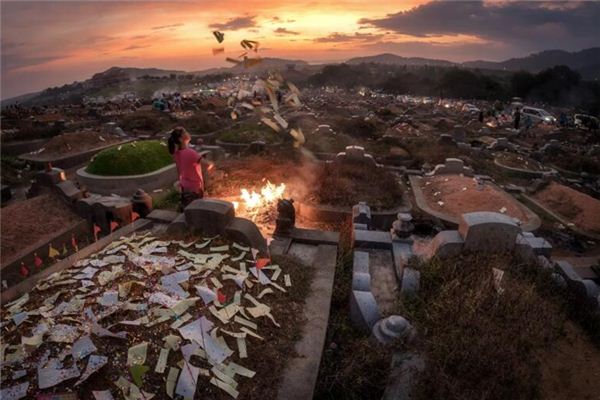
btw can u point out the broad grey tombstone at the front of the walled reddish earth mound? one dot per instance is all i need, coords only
(488, 231)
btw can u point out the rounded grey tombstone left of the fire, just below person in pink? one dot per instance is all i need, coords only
(209, 216)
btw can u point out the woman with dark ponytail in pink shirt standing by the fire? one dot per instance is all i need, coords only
(188, 165)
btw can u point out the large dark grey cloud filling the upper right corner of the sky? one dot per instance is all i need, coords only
(530, 24)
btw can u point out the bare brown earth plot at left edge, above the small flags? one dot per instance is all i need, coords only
(32, 221)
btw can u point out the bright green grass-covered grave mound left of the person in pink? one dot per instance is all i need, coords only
(131, 159)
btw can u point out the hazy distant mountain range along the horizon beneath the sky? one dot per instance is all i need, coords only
(586, 62)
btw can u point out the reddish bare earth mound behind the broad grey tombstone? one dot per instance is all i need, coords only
(458, 201)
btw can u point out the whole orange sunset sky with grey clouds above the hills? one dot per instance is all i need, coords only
(50, 43)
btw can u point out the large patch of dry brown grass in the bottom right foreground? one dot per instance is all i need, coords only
(479, 344)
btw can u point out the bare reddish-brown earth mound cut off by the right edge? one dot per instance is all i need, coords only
(576, 207)
